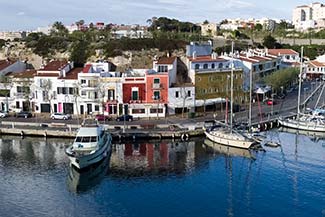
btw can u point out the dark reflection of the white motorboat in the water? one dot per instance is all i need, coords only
(83, 180)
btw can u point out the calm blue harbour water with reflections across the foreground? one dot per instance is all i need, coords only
(165, 179)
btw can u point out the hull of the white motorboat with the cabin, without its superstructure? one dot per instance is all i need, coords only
(81, 162)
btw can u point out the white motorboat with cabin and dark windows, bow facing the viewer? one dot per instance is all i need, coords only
(90, 146)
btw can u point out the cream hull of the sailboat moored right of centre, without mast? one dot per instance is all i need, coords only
(232, 140)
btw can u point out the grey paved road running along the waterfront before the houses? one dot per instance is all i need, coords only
(282, 107)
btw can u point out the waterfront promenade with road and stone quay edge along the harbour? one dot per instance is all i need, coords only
(169, 127)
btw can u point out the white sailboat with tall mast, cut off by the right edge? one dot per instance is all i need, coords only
(309, 122)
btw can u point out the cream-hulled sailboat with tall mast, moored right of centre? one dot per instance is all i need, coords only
(224, 134)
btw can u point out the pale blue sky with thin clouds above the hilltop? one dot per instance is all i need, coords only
(29, 14)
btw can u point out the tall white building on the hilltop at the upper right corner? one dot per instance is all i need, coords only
(312, 16)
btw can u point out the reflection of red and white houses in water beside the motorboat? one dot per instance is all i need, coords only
(153, 158)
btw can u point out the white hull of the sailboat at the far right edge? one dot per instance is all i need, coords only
(302, 125)
